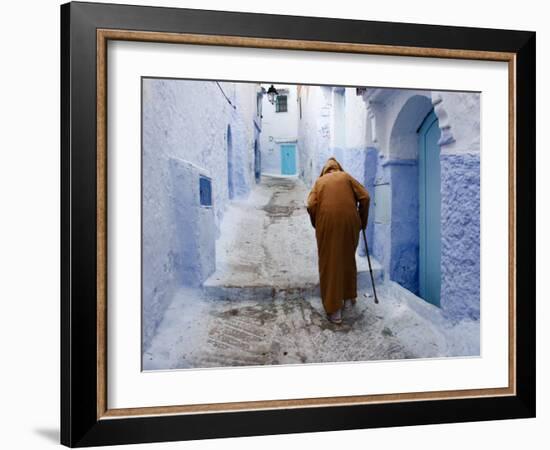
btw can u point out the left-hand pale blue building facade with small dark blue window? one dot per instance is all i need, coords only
(200, 150)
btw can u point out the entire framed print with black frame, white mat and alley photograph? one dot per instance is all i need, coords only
(279, 224)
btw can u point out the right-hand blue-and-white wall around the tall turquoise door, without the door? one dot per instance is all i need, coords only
(383, 156)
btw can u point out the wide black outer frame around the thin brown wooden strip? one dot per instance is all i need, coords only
(79, 424)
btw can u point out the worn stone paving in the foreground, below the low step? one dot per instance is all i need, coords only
(251, 333)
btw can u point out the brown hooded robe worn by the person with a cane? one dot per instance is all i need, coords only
(333, 205)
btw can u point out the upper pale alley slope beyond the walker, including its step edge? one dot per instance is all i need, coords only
(267, 247)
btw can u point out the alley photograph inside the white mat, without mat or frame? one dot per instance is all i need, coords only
(300, 224)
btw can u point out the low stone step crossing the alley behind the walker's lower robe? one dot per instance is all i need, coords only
(249, 288)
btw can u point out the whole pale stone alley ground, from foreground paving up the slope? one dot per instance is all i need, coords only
(261, 306)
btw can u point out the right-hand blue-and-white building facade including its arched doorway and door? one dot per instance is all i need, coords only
(424, 181)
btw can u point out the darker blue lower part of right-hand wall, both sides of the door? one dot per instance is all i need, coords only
(395, 243)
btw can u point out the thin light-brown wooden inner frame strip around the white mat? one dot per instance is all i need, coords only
(103, 36)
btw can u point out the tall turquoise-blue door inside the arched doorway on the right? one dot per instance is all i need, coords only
(429, 199)
